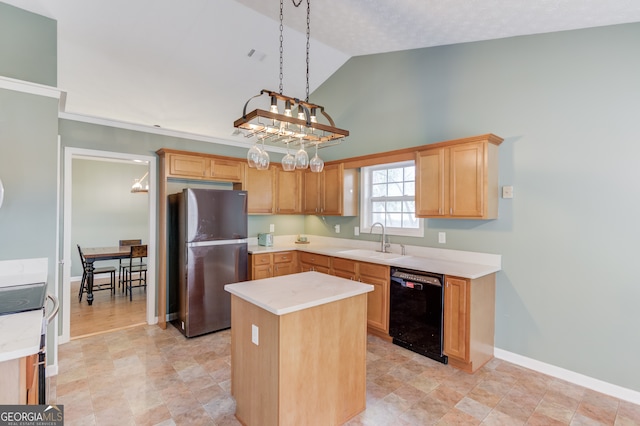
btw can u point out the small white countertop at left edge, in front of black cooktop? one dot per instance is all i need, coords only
(20, 334)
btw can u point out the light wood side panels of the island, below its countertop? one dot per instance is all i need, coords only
(299, 373)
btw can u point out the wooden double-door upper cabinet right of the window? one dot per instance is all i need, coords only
(458, 179)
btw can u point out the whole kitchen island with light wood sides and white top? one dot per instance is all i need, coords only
(298, 349)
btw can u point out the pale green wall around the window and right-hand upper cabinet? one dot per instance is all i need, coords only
(567, 105)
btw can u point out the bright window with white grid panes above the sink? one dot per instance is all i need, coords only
(388, 196)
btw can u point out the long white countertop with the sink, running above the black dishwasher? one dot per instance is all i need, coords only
(440, 261)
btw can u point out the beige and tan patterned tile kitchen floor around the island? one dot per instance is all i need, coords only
(148, 376)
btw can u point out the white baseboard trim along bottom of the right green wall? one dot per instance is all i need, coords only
(570, 376)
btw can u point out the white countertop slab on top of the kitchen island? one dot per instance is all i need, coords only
(291, 293)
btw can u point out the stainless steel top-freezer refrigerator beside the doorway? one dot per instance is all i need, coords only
(207, 249)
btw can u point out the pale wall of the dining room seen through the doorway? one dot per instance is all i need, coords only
(104, 210)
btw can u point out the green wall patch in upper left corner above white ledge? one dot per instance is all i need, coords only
(28, 46)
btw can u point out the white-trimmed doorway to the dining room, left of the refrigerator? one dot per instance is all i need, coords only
(80, 166)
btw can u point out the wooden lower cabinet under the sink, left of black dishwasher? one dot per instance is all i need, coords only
(378, 299)
